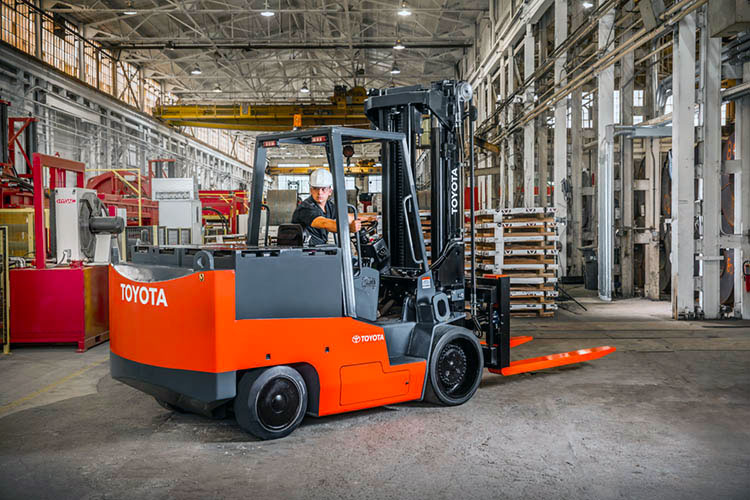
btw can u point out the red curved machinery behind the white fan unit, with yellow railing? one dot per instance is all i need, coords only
(121, 189)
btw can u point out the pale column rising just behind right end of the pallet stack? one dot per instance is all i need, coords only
(560, 155)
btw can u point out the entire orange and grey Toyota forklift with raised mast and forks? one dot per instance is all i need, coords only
(272, 333)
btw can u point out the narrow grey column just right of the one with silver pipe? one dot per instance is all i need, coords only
(627, 68)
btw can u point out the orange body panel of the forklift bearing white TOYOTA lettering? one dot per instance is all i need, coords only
(194, 328)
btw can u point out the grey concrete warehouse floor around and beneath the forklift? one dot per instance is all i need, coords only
(666, 416)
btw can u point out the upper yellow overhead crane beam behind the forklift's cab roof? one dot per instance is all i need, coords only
(346, 109)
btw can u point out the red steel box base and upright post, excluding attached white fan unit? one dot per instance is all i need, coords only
(62, 303)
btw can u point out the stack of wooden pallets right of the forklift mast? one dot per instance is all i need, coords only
(520, 243)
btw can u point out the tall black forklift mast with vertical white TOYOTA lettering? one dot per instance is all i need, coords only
(404, 109)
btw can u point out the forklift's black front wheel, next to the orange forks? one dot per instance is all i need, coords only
(455, 369)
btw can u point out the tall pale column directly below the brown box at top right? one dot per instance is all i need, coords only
(710, 66)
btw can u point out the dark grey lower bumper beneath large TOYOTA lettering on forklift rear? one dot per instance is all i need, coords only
(201, 386)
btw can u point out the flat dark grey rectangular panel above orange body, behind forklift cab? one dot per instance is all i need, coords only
(304, 283)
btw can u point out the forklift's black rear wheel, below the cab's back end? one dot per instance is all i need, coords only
(271, 402)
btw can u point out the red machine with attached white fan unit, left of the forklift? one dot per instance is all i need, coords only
(63, 302)
